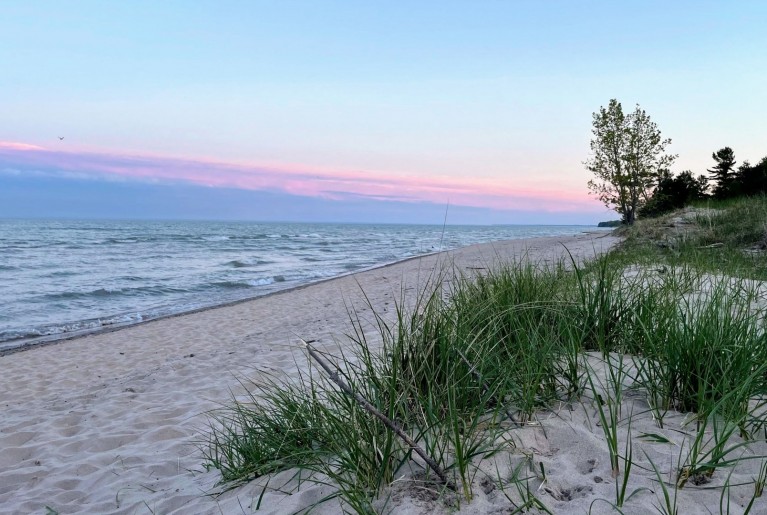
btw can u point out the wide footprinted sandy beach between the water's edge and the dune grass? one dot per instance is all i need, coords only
(112, 422)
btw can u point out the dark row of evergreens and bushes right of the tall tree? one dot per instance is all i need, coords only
(723, 181)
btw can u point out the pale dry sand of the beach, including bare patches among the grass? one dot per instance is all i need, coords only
(107, 423)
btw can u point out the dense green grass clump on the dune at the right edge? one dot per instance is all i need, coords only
(691, 355)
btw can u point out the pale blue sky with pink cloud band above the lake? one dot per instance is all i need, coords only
(358, 111)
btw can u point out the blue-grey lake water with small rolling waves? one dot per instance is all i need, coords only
(59, 277)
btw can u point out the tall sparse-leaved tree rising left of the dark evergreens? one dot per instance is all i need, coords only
(628, 154)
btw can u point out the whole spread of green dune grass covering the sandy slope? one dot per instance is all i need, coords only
(465, 365)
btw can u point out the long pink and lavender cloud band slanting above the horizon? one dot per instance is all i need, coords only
(293, 179)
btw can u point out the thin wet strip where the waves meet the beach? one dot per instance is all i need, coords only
(24, 344)
